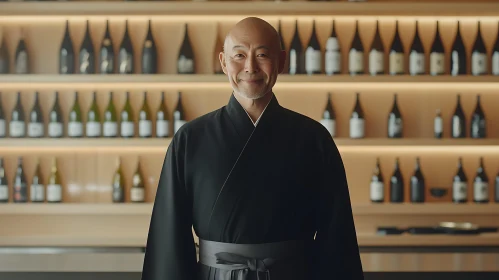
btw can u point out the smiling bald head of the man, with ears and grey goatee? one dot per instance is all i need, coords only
(252, 58)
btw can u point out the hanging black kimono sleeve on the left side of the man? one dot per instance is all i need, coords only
(170, 251)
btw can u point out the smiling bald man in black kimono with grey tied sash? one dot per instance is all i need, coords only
(256, 181)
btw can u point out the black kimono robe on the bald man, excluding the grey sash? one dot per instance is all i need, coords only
(288, 183)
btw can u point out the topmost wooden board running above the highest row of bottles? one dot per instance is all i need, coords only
(215, 9)
